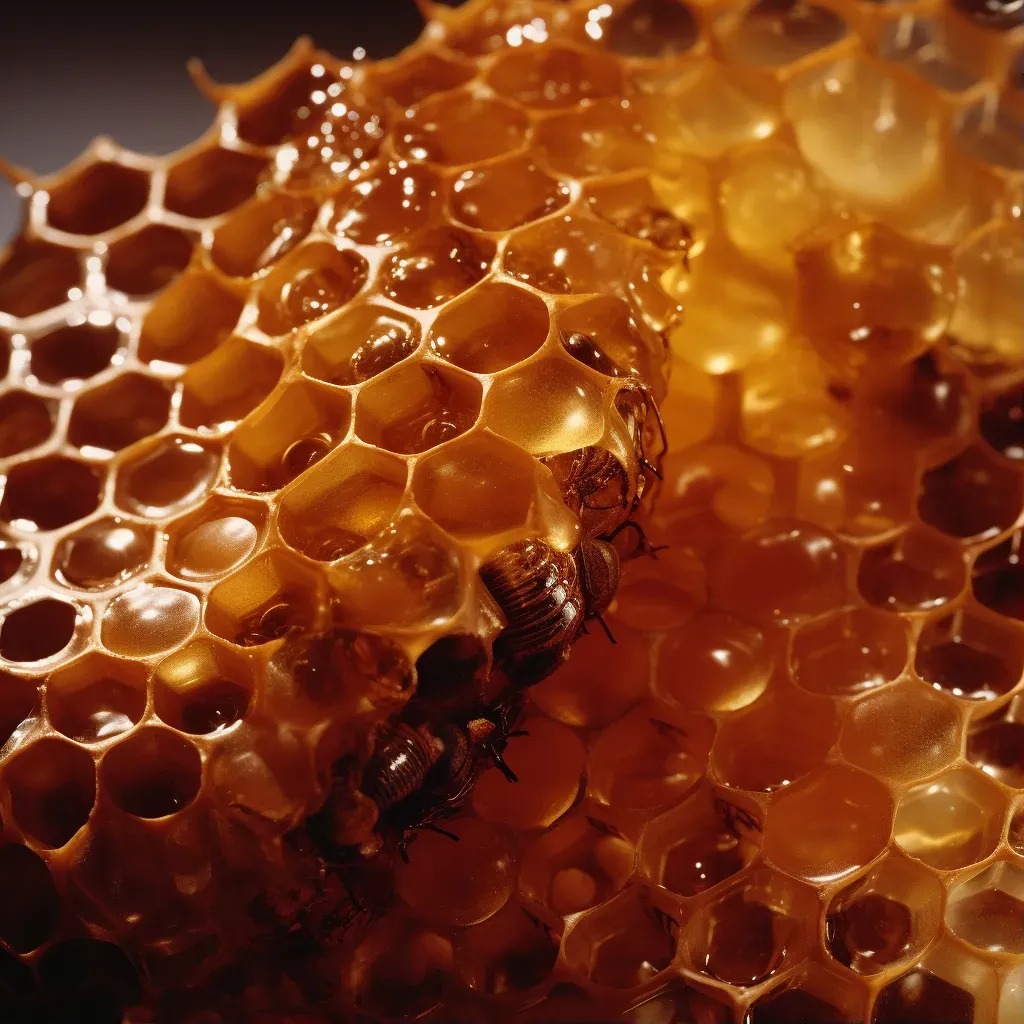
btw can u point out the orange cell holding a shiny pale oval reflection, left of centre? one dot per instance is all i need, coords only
(216, 539)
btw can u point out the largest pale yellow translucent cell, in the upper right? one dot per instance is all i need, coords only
(873, 137)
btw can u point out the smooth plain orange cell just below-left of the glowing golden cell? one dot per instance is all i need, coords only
(477, 487)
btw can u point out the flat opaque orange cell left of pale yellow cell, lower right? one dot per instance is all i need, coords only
(832, 824)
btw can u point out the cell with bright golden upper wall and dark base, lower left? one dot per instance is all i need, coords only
(204, 690)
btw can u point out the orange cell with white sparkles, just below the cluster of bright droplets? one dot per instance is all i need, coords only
(388, 203)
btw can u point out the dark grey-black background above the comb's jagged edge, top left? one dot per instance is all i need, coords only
(72, 71)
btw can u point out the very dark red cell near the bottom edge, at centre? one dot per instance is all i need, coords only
(511, 953)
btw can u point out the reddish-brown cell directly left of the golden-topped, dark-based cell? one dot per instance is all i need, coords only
(97, 698)
